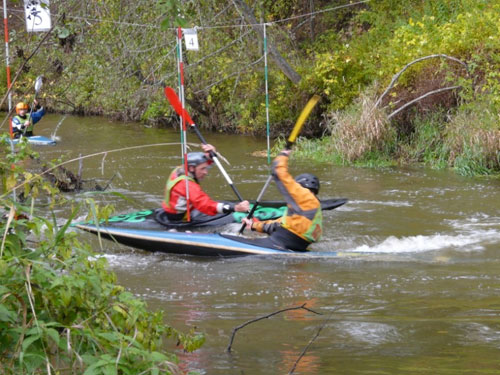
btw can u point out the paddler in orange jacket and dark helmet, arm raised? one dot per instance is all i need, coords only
(302, 223)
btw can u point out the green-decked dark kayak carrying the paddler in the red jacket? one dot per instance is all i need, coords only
(156, 219)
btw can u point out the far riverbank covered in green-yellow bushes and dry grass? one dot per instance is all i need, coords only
(401, 82)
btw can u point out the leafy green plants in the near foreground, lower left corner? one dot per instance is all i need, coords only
(60, 306)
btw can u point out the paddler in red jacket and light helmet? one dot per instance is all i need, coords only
(175, 202)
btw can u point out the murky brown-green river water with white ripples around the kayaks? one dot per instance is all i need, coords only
(419, 292)
